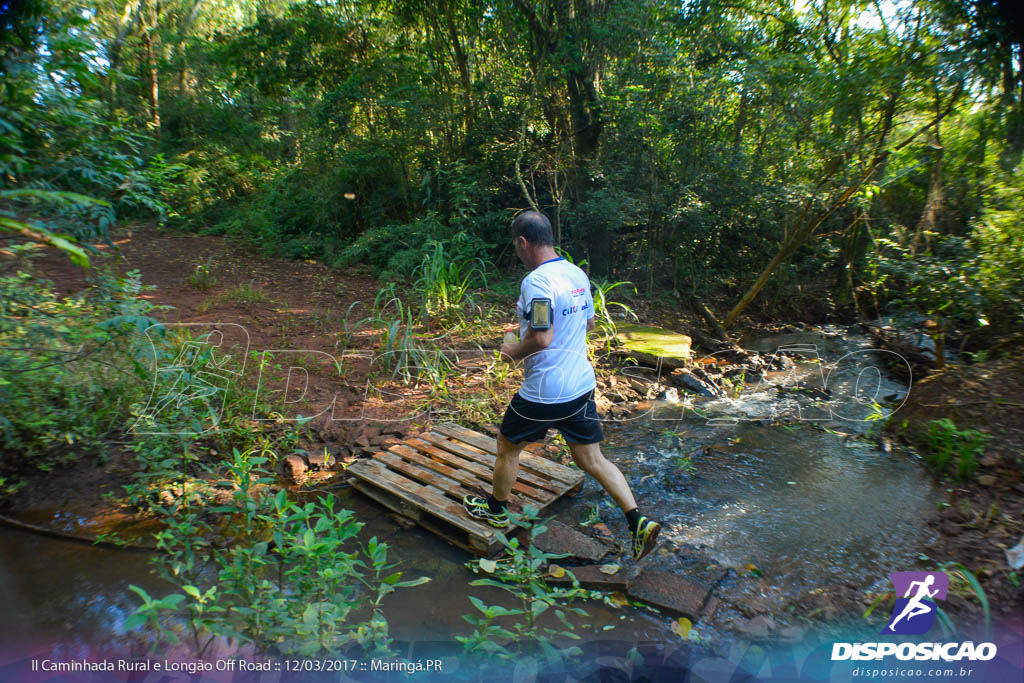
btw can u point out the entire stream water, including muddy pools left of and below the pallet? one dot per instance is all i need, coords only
(762, 477)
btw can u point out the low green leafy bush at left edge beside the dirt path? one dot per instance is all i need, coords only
(70, 368)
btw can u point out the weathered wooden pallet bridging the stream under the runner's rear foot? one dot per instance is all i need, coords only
(426, 477)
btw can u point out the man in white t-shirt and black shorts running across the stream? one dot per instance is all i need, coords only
(556, 312)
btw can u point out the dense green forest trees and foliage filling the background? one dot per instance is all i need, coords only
(686, 147)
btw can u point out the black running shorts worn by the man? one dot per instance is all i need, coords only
(577, 420)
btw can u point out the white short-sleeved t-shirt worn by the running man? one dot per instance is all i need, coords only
(562, 372)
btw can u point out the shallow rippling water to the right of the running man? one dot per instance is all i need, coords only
(781, 474)
